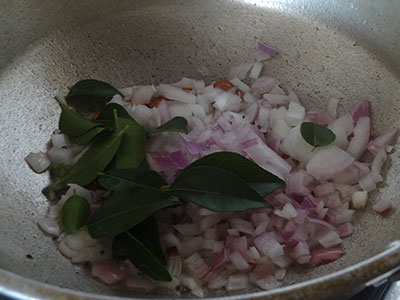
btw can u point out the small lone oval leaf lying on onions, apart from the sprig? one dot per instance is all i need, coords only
(316, 135)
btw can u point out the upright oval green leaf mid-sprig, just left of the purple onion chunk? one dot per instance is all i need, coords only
(132, 149)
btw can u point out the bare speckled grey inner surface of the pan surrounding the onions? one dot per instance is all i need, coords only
(162, 41)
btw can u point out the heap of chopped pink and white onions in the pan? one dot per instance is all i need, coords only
(257, 118)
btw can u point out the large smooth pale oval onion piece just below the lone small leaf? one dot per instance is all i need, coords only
(328, 162)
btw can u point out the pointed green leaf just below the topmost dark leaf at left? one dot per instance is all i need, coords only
(73, 124)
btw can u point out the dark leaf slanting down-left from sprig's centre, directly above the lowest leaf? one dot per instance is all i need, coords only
(126, 208)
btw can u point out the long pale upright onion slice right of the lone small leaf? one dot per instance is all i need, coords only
(358, 143)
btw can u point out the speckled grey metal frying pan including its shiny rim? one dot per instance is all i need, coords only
(346, 49)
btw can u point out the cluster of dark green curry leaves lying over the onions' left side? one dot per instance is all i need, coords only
(116, 143)
